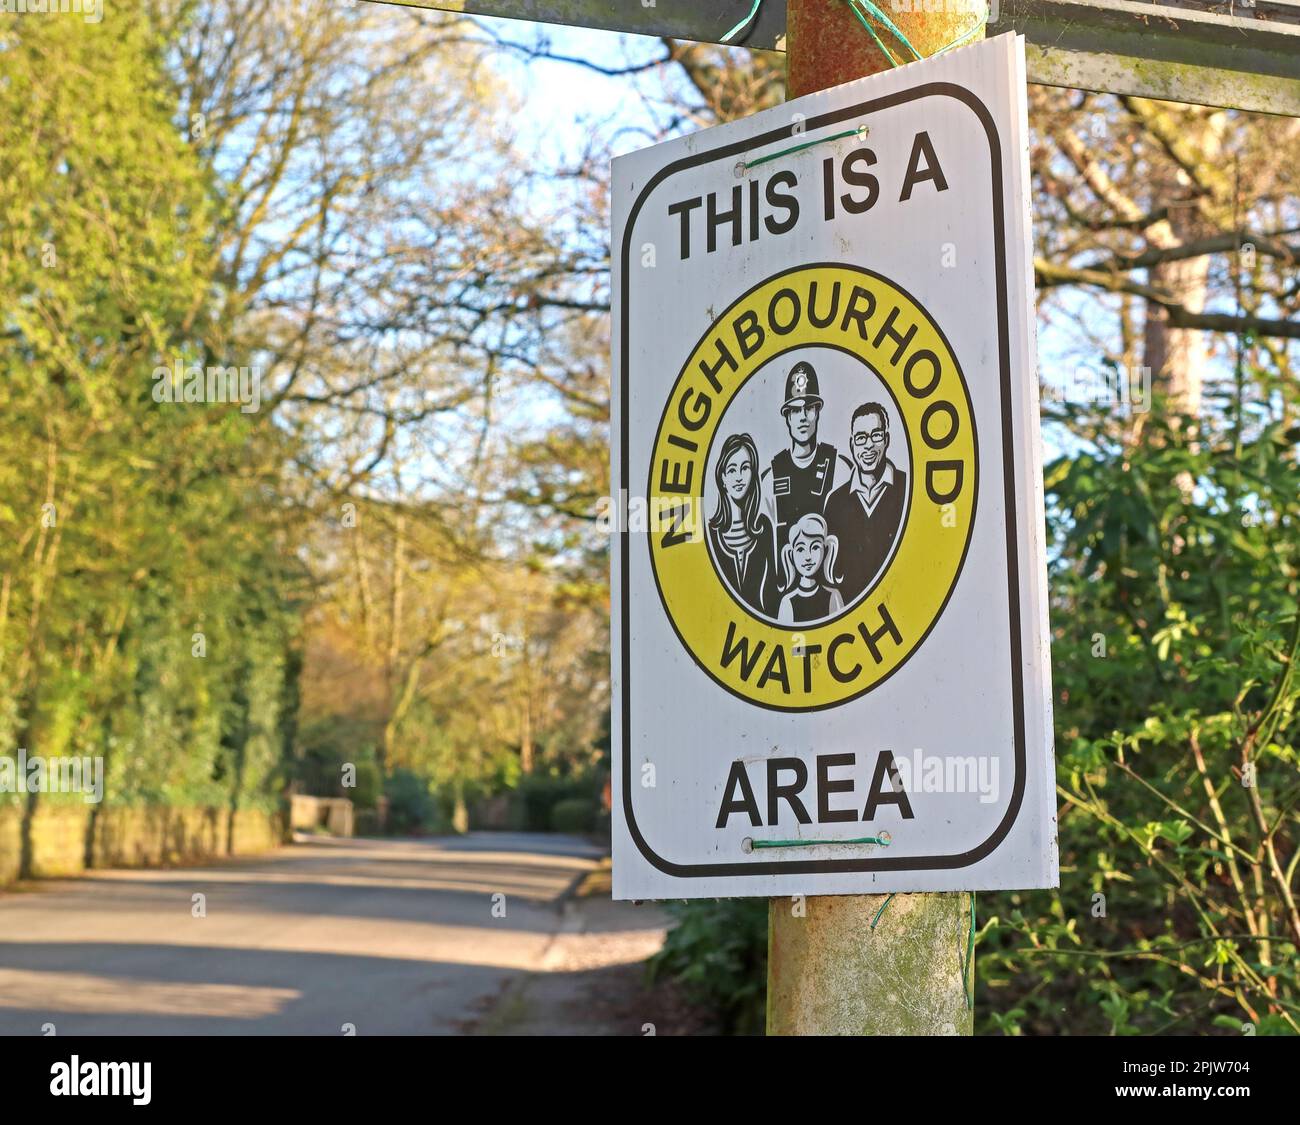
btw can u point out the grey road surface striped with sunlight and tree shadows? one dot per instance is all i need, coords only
(385, 937)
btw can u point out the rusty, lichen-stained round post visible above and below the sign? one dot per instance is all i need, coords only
(830, 972)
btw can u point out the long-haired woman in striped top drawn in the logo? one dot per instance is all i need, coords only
(740, 535)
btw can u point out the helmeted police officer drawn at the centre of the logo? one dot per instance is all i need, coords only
(800, 479)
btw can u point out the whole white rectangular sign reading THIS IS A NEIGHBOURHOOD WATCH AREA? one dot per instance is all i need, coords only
(831, 664)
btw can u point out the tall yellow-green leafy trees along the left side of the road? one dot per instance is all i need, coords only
(148, 609)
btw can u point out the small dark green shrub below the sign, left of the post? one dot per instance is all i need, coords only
(718, 953)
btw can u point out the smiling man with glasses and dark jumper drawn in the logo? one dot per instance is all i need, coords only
(866, 512)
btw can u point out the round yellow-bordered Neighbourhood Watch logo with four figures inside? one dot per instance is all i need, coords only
(813, 484)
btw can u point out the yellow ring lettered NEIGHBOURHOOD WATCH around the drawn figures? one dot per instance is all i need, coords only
(915, 589)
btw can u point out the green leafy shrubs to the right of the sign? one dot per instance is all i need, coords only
(1175, 652)
